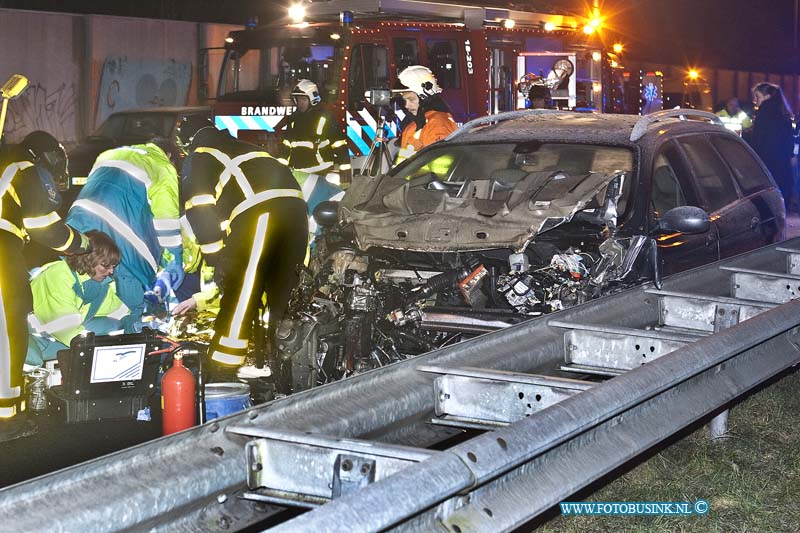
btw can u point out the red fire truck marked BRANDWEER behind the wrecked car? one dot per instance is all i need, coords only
(484, 59)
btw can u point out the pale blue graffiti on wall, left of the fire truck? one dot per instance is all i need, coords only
(135, 83)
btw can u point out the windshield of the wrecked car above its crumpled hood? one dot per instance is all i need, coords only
(494, 171)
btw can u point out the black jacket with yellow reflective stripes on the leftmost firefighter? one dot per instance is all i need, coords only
(28, 203)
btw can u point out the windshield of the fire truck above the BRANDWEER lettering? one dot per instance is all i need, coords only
(268, 73)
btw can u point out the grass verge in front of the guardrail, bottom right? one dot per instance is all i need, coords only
(751, 480)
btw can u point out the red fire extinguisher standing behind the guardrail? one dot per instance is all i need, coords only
(177, 398)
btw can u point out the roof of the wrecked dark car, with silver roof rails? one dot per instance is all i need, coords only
(567, 126)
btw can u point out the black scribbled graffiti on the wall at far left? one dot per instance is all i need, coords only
(40, 108)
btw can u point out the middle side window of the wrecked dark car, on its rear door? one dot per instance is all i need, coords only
(712, 176)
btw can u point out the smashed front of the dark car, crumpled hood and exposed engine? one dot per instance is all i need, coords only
(420, 259)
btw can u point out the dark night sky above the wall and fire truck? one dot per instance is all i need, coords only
(734, 34)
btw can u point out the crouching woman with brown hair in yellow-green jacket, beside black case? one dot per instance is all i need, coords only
(74, 295)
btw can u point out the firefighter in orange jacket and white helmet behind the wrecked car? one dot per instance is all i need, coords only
(430, 119)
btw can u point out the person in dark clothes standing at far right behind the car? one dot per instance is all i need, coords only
(772, 137)
